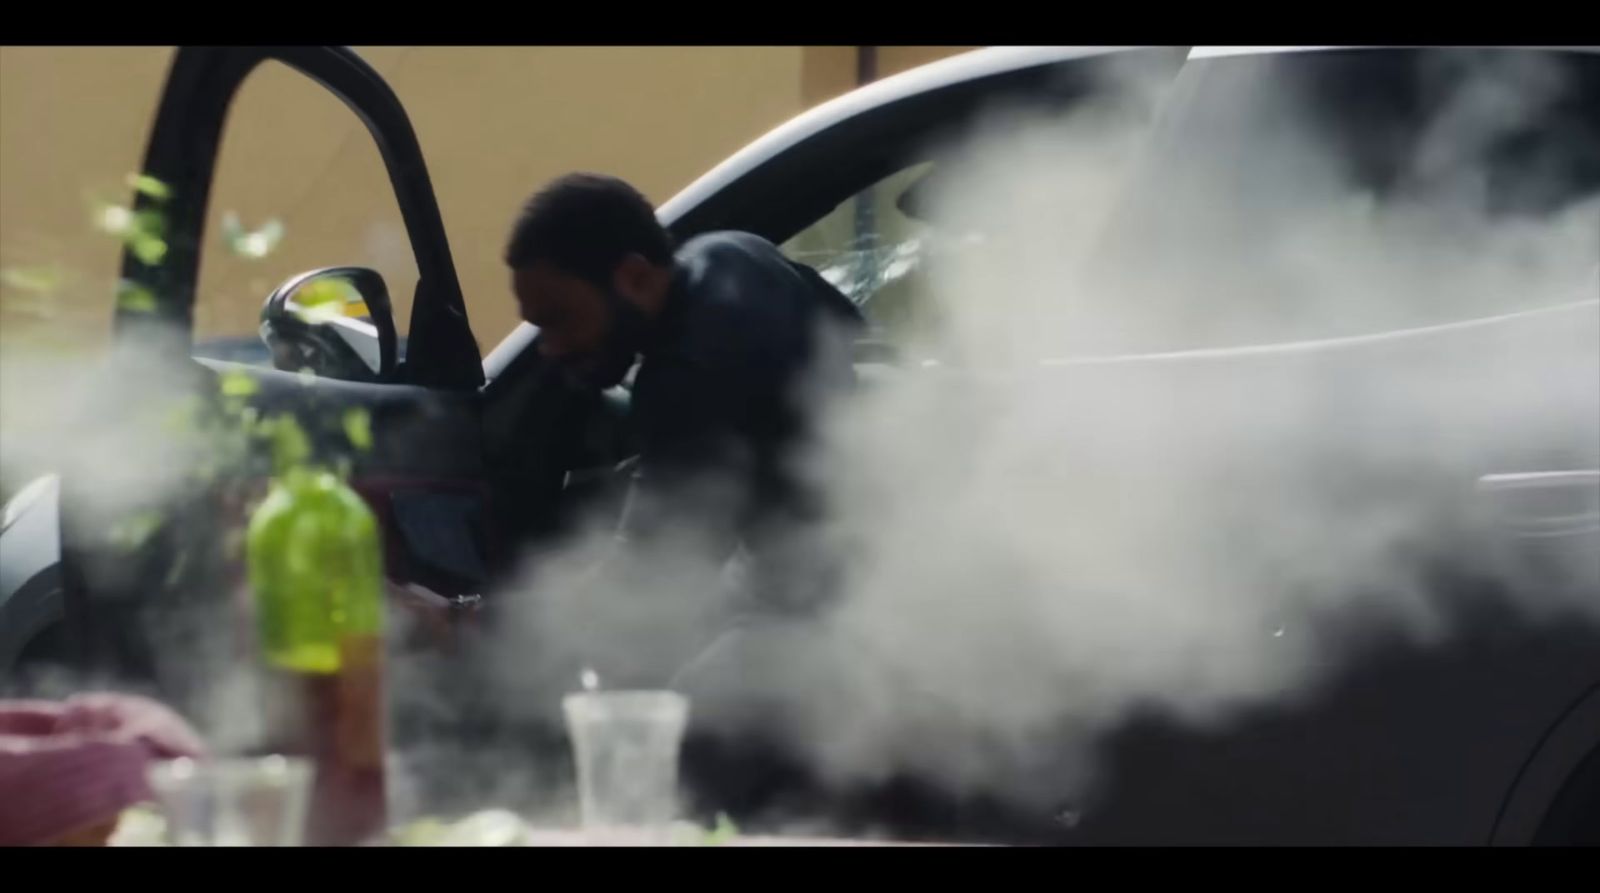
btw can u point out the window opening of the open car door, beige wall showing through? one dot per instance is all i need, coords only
(300, 185)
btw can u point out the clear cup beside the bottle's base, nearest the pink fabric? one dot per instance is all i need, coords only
(234, 803)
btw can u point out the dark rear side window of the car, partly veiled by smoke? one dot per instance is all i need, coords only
(1340, 194)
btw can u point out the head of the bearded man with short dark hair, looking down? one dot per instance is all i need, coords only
(590, 265)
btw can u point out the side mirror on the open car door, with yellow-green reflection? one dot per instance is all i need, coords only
(338, 322)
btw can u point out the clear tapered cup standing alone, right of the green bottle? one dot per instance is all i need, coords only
(626, 745)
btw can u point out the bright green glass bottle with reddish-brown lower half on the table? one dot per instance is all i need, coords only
(316, 575)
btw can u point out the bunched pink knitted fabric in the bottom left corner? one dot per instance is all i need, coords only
(76, 764)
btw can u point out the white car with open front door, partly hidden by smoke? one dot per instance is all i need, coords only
(1489, 737)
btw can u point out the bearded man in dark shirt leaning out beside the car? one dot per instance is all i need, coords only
(737, 346)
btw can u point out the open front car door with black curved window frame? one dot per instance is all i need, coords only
(423, 473)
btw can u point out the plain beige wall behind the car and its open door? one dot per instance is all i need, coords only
(494, 126)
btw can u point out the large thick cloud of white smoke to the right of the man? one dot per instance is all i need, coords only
(1054, 519)
